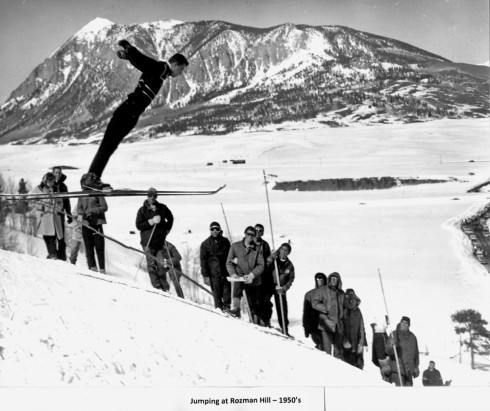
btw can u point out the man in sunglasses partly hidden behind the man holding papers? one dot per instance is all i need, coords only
(267, 286)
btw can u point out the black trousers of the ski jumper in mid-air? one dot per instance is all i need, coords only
(122, 122)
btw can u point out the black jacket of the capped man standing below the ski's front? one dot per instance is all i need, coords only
(160, 232)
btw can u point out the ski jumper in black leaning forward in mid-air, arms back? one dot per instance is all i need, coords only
(126, 115)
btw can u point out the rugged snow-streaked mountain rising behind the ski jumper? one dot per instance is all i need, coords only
(239, 77)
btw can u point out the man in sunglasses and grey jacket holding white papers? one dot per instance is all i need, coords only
(245, 260)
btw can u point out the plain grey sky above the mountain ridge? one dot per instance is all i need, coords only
(31, 30)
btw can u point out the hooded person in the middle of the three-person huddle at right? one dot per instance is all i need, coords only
(329, 301)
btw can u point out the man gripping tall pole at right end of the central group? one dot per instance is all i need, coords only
(285, 275)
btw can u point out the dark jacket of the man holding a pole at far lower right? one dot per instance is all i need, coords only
(407, 350)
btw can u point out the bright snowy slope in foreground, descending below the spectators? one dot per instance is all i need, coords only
(61, 327)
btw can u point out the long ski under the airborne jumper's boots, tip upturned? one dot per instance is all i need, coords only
(112, 193)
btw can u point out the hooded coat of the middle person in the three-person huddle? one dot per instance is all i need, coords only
(330, 303)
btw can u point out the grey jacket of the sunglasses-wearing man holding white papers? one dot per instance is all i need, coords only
(243, 260)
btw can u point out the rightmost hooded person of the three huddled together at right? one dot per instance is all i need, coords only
(354, 332)
